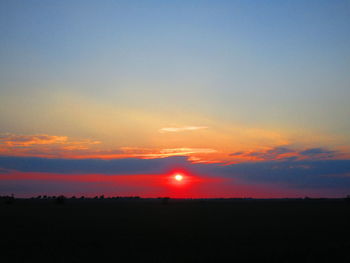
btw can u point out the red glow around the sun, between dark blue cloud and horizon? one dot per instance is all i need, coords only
(144, 185)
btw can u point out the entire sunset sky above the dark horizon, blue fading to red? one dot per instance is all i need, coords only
(242, 98)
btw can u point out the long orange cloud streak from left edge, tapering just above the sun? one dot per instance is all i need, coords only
(63, 147)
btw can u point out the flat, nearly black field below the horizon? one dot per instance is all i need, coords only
(148, 230)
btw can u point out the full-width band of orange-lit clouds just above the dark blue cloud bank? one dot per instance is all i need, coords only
(53, 146)
